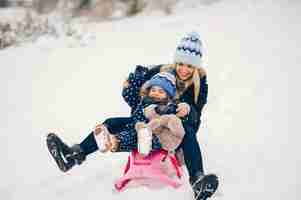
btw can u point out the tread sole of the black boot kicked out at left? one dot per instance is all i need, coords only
(55, 150)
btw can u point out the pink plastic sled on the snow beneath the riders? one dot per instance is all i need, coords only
(151, 167)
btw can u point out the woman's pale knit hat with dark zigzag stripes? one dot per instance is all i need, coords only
(189, 50)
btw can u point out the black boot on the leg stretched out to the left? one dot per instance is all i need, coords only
(65, 157)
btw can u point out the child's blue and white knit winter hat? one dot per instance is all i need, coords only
(165, 80)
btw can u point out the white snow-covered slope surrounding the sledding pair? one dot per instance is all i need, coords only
(248, 136)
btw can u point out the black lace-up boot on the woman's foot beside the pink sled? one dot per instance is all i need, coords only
(204, 186)
